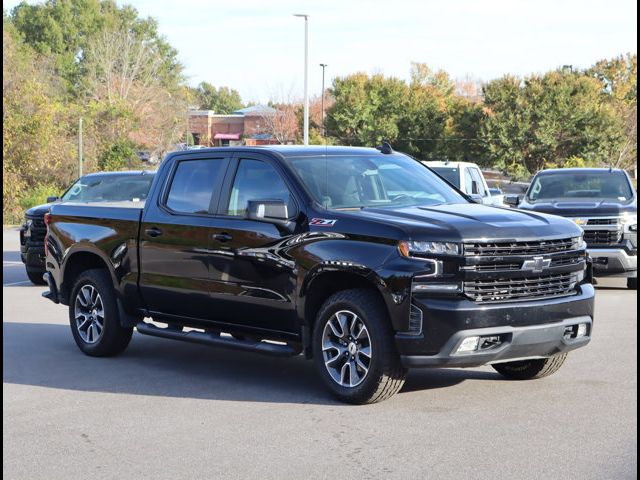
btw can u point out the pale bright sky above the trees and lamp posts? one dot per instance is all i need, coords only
(256, 46)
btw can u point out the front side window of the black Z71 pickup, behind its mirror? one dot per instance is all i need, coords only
(257, 180)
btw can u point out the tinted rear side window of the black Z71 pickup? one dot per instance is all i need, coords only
(192, 185)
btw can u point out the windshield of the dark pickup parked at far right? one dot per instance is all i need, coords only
(568, 185)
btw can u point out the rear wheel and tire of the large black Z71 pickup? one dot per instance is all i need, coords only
(94, 318)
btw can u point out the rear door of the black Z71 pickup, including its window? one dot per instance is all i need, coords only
(175, 236)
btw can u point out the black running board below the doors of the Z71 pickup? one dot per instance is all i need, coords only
(215, 340)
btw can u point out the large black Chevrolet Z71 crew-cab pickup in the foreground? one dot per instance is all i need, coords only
(362, 259)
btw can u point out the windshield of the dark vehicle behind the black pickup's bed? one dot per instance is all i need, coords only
(109, 188)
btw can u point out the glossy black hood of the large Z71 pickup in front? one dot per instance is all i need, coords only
(471, 222)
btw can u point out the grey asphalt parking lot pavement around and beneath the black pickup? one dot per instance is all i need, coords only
(170, 410)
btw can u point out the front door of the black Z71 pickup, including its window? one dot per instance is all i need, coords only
(253, 281)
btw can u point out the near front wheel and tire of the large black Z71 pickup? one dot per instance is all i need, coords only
(353, 348)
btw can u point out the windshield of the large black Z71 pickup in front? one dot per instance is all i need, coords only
(343, 181)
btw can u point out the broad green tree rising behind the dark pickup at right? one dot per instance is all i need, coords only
(546, 119)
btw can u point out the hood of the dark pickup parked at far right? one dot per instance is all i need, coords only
(580, 208)
